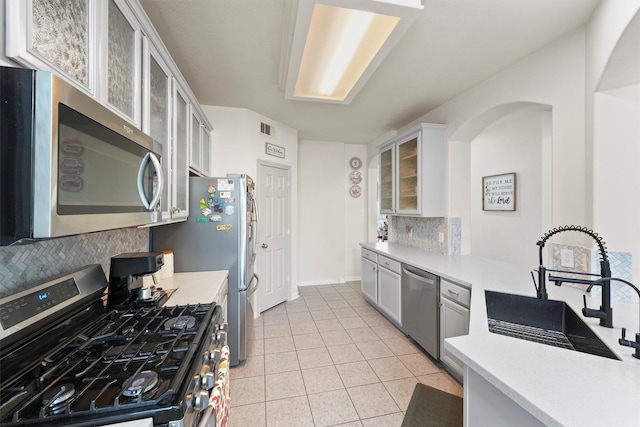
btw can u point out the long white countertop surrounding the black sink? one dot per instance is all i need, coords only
(559, 387)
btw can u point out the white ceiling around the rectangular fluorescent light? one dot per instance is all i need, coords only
(229, 53)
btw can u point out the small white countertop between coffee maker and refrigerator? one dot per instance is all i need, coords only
(194, 287)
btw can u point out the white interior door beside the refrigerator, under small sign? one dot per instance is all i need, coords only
(273, 228)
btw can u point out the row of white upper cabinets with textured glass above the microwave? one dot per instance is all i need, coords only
(110, 50)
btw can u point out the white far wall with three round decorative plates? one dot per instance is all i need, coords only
(332, 223)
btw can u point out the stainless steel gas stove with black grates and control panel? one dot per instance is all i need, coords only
(67, 361)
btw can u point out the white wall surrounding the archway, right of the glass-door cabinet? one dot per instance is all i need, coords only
(552, 77)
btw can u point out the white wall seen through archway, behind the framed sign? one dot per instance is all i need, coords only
(513, 144)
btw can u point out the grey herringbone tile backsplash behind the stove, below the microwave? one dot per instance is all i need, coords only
(25, 266)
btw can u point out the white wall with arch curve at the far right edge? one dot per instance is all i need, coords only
(613, 134)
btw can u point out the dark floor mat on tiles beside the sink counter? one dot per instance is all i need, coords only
(433, 407)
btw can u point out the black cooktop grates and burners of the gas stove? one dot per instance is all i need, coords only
(122, 362)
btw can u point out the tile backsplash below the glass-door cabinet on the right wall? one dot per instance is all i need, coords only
(442, 235)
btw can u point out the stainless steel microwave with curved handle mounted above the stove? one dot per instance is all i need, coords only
(68, 165)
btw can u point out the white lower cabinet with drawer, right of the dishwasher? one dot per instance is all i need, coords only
(454, 321)
